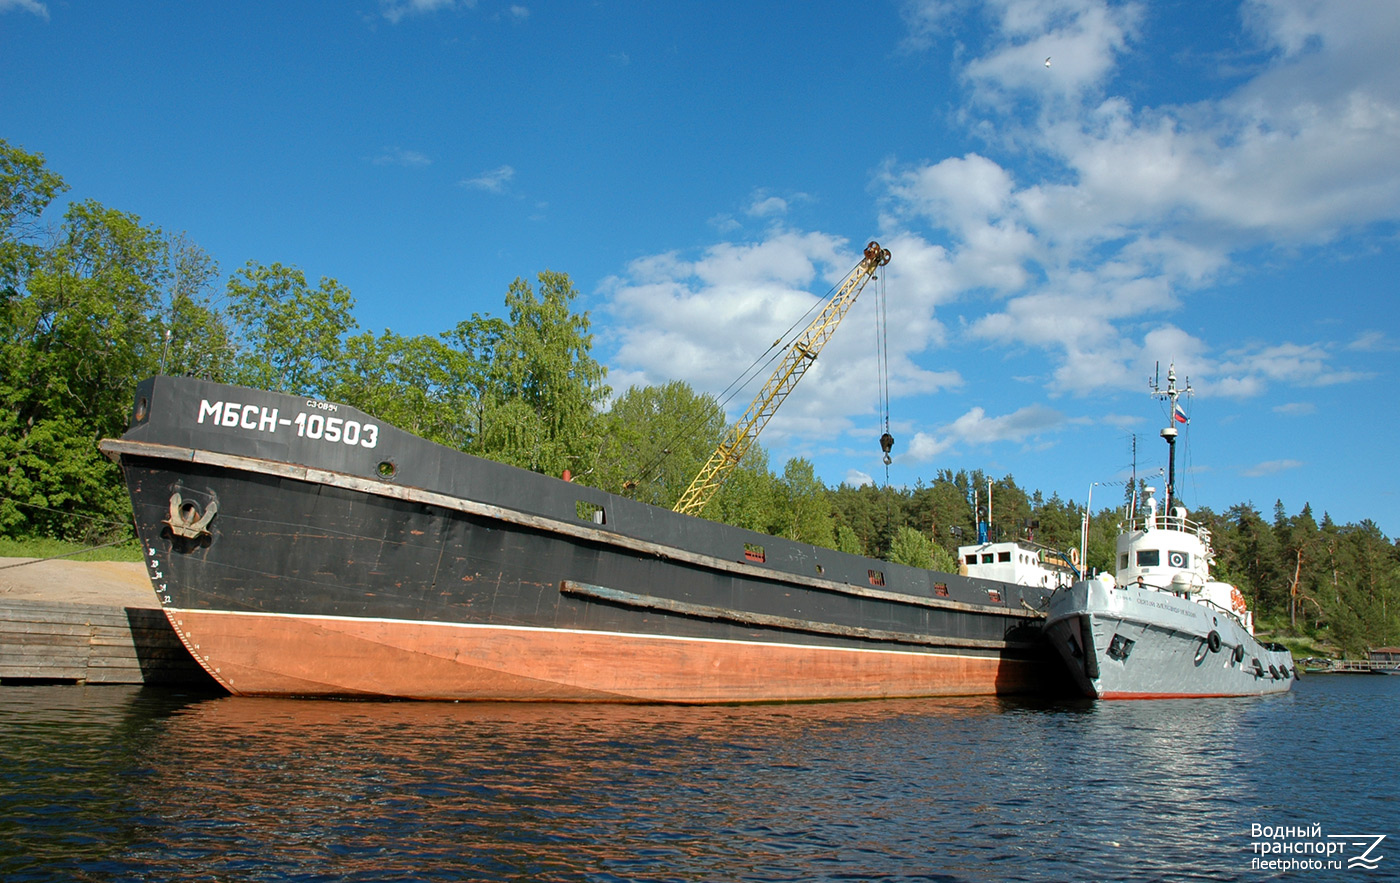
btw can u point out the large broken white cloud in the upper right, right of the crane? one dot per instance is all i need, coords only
(1135, 208)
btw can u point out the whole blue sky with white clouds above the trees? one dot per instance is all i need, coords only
(1074, 192)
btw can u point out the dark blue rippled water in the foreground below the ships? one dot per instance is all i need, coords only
(129, 784)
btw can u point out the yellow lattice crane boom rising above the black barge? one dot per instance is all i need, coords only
(796, 362)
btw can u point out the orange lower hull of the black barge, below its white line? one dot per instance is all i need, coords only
(323, 657)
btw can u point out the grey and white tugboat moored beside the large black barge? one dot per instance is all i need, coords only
(1160, 628)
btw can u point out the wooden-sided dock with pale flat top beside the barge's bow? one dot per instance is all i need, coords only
(89, 625)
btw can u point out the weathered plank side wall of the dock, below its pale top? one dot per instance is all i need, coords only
(93, 644)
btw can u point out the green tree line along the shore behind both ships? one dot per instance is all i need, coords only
(99, 300)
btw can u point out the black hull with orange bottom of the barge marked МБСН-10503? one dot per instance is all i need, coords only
(310, 535)
